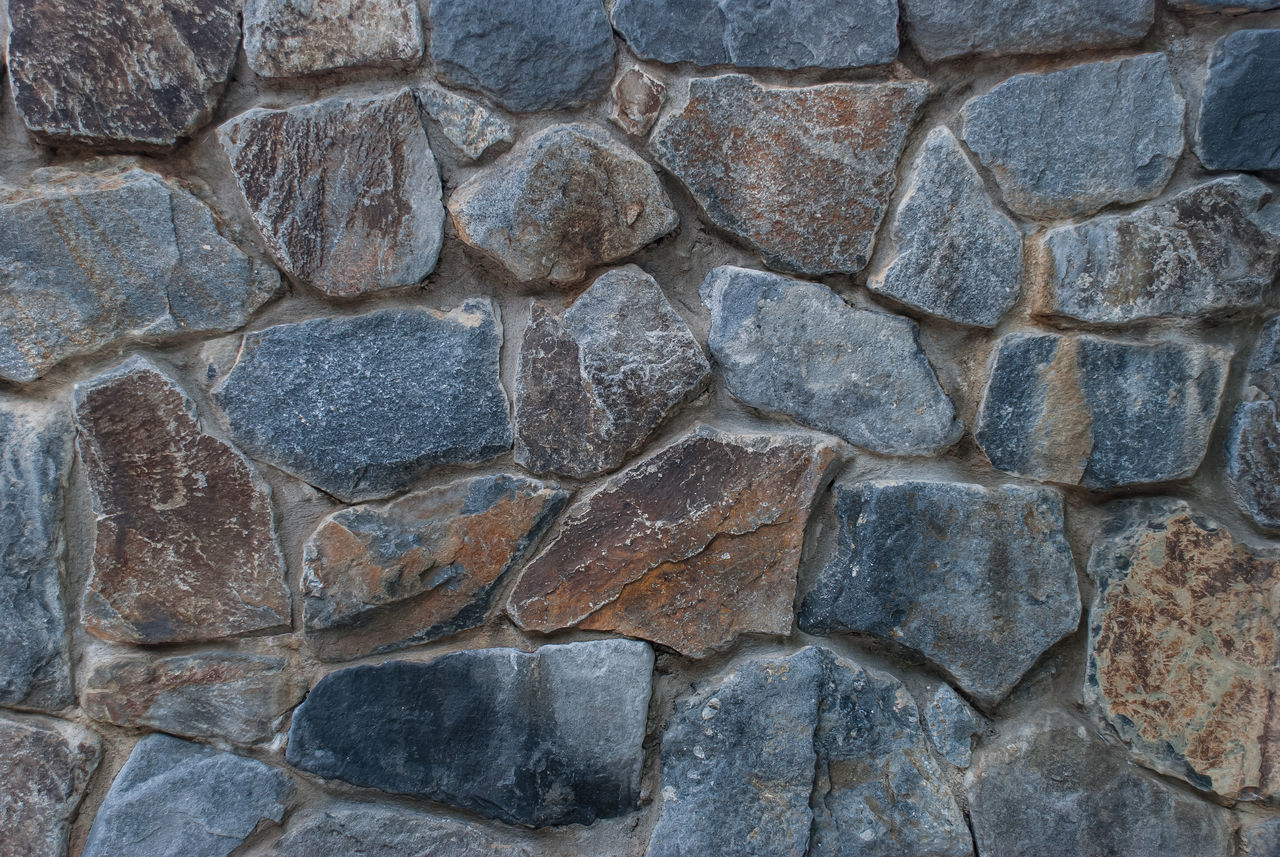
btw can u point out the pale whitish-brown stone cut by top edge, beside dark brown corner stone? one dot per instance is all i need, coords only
(289, 39)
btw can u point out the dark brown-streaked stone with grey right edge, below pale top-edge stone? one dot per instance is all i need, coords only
(345, 191)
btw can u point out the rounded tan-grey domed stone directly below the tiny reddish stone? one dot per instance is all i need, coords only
(561, 203)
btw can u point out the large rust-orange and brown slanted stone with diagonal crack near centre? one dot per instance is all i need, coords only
(689, 548)
